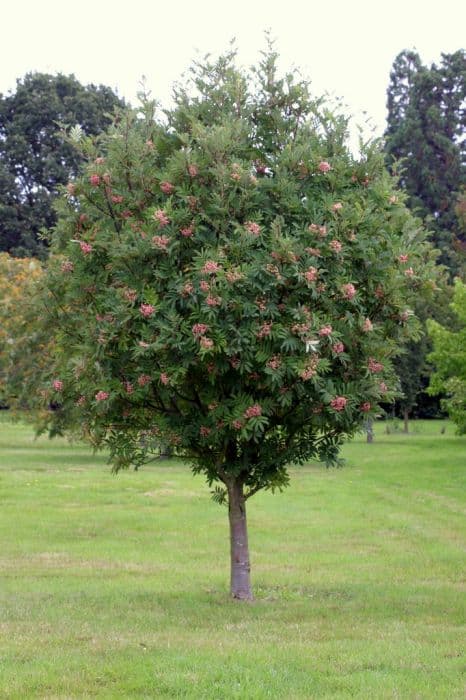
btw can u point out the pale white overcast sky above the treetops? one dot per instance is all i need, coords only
(346, 47)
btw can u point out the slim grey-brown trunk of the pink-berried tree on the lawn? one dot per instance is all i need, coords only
(240, 582)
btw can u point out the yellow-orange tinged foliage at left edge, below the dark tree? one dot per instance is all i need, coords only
(23, 337)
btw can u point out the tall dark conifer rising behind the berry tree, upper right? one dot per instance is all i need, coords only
(425, 129)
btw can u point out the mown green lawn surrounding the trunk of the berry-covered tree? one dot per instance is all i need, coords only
(117, 586)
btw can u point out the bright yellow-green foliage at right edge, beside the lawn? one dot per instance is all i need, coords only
(449, 359)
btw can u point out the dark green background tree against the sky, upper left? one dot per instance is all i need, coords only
(34, 160)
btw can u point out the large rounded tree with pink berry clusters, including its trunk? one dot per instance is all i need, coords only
(227, 278)
